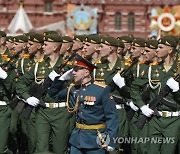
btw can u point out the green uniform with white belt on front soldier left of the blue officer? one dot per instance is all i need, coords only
(53, 118)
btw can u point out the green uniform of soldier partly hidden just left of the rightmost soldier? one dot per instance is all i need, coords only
(138, 90)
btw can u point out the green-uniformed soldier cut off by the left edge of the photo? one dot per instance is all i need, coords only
(5, 94)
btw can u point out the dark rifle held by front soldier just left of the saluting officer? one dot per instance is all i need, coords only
(43, 89)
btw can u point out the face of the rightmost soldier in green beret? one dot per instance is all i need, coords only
(163, 51)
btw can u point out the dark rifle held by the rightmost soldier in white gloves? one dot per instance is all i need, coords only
(154, 103)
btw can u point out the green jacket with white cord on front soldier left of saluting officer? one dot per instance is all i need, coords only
(34, 78)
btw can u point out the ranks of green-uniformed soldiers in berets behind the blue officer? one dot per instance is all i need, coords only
(132, 67)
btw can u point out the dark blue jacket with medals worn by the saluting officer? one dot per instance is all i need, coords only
(95, 107)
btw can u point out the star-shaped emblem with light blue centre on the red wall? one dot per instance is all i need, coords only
(82, 20)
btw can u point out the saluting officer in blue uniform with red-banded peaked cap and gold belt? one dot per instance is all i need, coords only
(95, 110)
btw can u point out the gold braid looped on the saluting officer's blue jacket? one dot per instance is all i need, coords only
(71, 110)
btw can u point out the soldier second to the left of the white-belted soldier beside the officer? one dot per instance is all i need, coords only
(23, 62)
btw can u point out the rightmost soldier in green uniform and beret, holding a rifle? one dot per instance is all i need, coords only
(167, 124)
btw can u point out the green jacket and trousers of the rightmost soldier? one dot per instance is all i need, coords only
(168, 124)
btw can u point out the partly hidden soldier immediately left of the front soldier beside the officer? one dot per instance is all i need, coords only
(35, 54)
